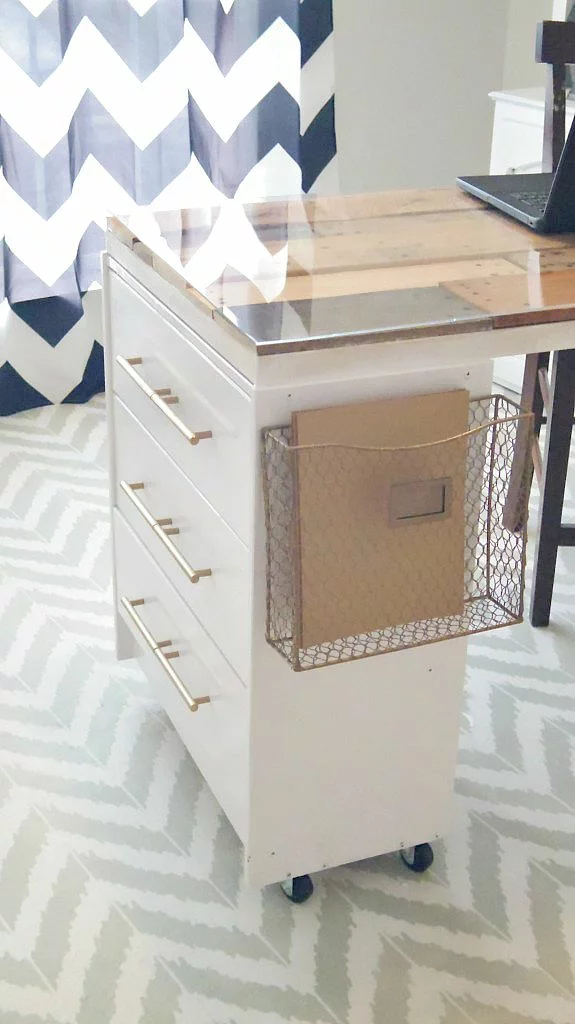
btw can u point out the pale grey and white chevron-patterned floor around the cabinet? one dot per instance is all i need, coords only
(121, 899)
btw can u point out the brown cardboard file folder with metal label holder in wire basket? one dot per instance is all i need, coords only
(380, 515)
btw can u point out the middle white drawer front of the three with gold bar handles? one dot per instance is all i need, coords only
(203, 544)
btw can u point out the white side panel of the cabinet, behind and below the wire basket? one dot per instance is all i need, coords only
(356, 760)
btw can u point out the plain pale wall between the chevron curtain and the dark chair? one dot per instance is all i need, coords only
(413, 79)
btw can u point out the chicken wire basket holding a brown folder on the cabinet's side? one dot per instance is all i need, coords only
(475, 573)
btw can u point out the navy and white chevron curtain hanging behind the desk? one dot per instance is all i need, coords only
(108, 105)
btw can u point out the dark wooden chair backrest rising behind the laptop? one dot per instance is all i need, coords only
(555, 47)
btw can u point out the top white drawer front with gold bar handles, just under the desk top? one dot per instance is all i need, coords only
(207, 402)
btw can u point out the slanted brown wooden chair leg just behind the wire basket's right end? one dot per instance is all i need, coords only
(515, 511)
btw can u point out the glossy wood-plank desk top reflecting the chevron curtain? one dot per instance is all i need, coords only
(321, 272)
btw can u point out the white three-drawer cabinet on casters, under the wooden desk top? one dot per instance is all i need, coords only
(274, 745)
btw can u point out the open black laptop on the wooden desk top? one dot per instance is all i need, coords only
(544, 202)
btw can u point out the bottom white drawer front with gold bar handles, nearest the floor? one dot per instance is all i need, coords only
(217, 734)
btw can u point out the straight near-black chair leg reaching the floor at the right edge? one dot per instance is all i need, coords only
(556, 461)
